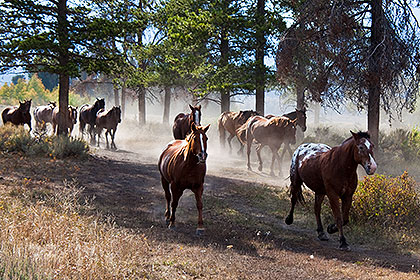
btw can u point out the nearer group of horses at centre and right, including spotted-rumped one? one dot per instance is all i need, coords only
(327, 171)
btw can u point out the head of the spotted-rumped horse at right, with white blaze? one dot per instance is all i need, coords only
(363, 152)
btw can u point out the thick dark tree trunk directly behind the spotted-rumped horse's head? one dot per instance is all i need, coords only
(375, 70)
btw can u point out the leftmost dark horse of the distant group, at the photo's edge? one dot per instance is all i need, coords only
(18, 115)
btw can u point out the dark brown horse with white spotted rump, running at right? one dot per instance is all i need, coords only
(331, 172)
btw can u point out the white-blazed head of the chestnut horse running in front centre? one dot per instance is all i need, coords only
(198, 142)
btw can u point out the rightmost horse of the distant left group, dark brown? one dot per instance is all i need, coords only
(108, 120)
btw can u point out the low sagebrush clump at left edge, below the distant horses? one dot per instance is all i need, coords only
(17, 139)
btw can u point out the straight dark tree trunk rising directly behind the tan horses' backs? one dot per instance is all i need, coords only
(259, 57)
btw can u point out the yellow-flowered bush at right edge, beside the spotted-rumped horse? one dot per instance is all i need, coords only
(386, 202)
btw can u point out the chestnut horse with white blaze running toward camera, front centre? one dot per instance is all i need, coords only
(182, 165)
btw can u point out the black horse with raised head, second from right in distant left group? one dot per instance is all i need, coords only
(87, 115)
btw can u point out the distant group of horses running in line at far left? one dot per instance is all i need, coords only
(93, 115)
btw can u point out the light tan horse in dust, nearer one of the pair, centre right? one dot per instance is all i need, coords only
(269, 132)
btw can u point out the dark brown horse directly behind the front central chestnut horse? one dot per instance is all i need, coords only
(182, 122)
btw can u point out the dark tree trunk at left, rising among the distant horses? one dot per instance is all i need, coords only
(63, 60)
